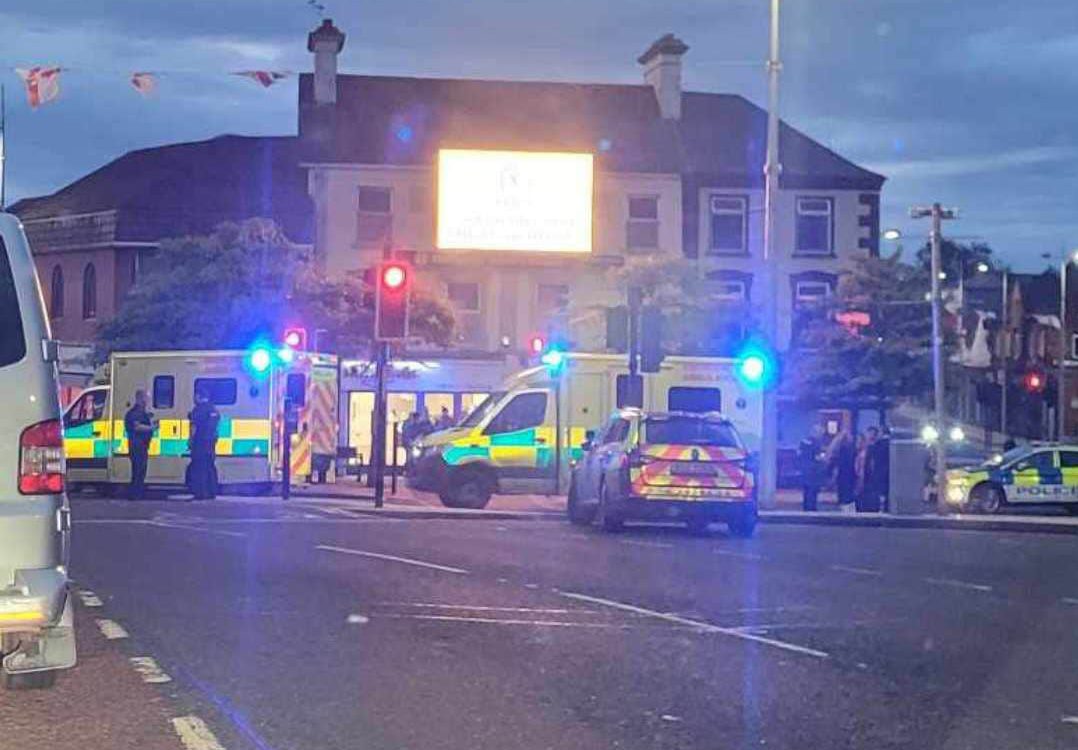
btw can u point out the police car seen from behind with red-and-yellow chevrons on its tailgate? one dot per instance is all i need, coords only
(673, 466)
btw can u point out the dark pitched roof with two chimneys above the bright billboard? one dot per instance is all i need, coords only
(404, 121)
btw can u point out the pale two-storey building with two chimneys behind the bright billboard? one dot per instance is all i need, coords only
(678, 175)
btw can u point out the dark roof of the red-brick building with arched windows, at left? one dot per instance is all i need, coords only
(190, 188)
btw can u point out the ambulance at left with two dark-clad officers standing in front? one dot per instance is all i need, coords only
(248, 388)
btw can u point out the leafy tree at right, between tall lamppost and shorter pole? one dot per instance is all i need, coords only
(872, 343)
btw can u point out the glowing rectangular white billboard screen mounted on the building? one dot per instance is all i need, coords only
(529, 202)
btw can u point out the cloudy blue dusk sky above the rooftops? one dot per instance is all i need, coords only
(971, 103)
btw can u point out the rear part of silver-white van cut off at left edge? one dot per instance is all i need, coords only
(37, 627)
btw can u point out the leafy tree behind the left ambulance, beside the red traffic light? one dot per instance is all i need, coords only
(244, 283)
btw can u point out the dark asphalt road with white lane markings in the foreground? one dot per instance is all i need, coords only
(289, 628)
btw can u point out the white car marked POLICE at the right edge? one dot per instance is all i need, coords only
(1027, 476)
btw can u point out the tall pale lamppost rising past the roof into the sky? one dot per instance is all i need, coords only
(772, 170)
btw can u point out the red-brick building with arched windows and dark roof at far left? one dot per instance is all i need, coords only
(91, 239)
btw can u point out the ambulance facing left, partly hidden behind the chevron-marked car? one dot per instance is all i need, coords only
(524, 438)
